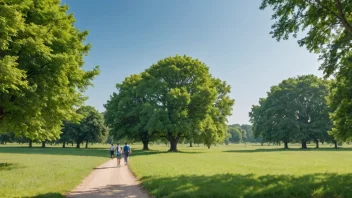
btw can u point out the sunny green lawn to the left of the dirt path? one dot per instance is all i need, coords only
(48, 172)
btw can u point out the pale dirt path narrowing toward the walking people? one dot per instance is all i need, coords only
(109, 181)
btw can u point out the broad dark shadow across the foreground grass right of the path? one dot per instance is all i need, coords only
(236, 185)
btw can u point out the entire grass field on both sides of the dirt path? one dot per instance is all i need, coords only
(222, 171)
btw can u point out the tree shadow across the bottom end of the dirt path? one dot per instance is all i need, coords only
(110, 191)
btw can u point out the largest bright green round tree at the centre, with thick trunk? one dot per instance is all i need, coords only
(185, 97)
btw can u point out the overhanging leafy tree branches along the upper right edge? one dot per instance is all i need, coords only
(327, 25)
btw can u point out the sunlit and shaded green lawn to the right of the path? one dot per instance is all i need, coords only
(236, 171)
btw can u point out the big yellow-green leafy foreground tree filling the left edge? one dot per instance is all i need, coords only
(41, 75)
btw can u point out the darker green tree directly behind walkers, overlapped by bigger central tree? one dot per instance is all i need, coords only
(128, 112)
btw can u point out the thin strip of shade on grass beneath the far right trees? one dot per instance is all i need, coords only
(290, 149)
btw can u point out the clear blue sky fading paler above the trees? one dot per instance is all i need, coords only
(230, 36)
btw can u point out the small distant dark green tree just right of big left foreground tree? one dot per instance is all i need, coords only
(91, 128)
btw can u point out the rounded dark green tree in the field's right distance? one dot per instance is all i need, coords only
(294, 110)
